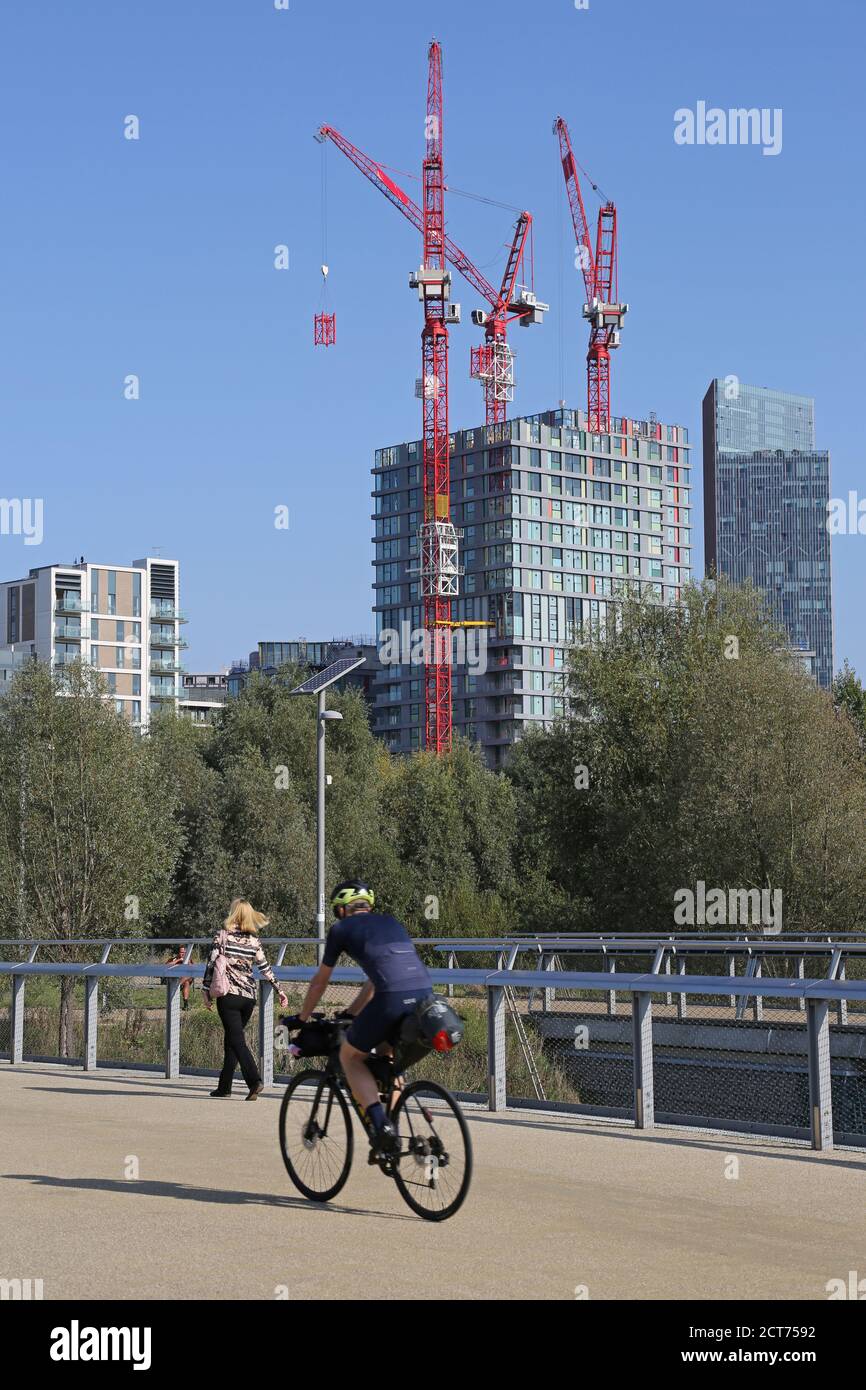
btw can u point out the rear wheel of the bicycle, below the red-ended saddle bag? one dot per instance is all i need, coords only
(436, 1164)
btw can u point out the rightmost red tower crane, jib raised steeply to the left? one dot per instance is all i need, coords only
(600, 269)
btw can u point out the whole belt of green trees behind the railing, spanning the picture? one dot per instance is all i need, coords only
(693, 749)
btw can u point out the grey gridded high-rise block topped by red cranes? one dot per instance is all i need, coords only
(555, 523)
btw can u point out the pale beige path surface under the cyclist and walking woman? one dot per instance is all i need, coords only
(558, 1202)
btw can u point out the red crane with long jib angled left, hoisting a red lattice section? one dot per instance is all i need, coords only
(493, 362)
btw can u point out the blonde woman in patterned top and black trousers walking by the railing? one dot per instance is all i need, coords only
(240, 947)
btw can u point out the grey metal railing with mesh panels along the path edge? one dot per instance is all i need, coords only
(642, 1045)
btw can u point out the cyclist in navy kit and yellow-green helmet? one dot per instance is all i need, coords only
(397, 981)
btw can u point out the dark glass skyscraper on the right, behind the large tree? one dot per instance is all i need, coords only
(765, 508)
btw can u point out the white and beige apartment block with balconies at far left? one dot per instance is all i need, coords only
(124, 621)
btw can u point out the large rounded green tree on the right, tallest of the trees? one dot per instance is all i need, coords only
(696, 749)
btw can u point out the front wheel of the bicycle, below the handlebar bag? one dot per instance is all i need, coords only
(316, 1136)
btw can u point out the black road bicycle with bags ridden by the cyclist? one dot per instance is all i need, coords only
(433, 1159)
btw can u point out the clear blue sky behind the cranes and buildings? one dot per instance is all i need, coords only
(156, 258)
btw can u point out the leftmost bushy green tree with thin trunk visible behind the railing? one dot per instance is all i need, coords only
(88, 833)
